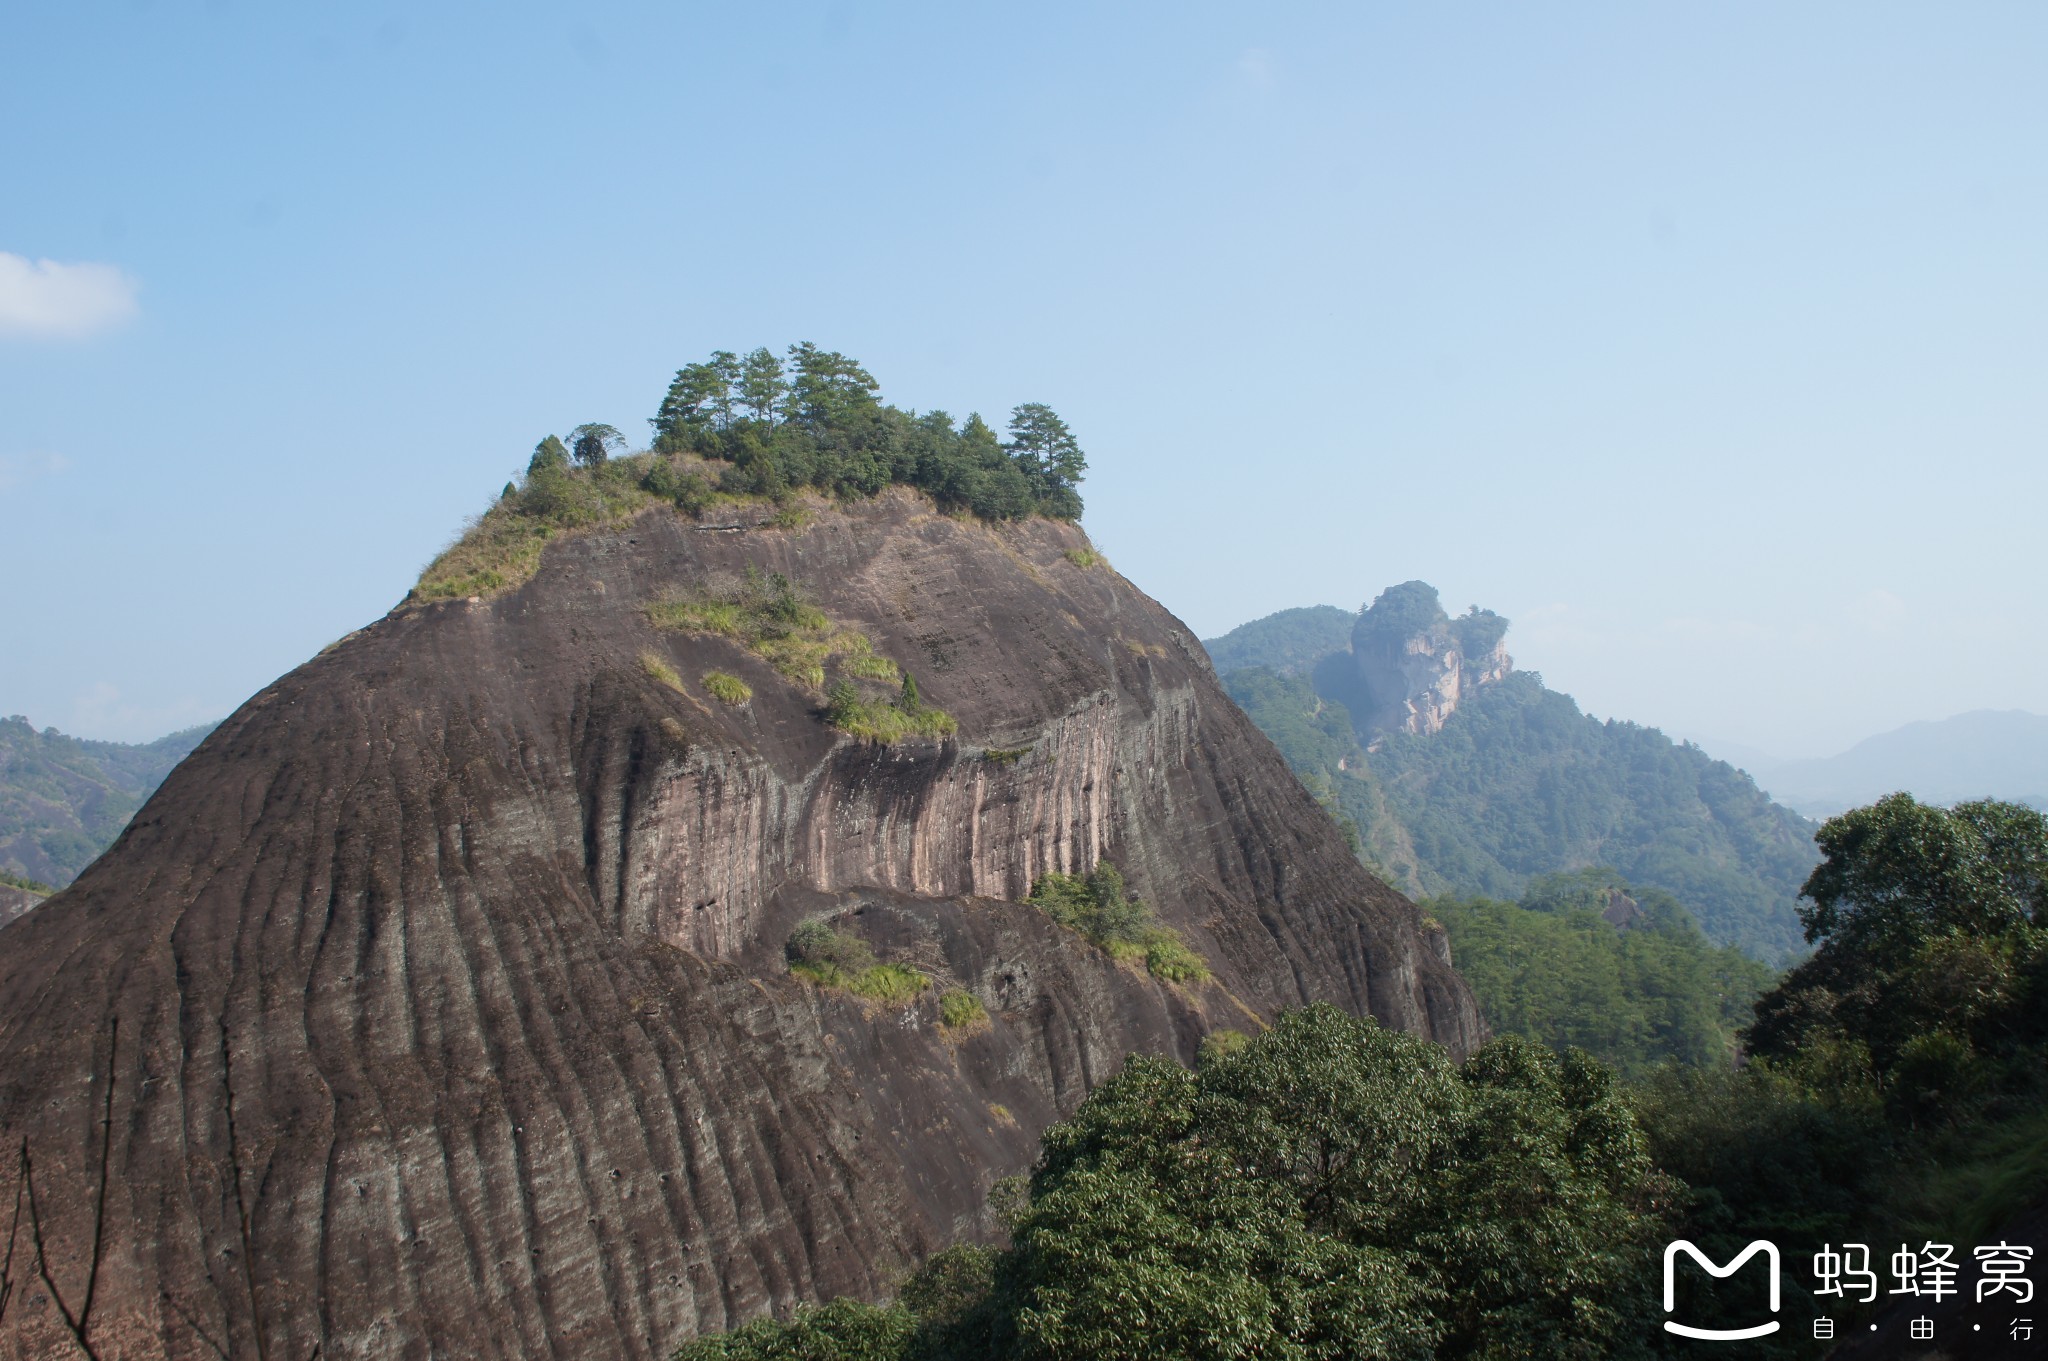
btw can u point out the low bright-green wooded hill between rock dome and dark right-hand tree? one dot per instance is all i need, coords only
(1631, 996)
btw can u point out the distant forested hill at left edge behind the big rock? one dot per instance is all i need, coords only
(65, 799)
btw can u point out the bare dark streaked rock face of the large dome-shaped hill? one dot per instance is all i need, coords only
(482, 928)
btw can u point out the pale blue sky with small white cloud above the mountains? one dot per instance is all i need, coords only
(1705, 343)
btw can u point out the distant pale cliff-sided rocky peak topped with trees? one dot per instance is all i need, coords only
(1414, 662)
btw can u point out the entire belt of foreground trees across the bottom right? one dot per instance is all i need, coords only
(1334, 1190)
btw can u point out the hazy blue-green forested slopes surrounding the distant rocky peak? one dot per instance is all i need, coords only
(1521, 785)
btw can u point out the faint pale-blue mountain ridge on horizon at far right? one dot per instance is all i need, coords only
(1983, 754)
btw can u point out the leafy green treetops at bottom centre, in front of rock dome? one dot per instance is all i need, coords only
(1330, 1190)
